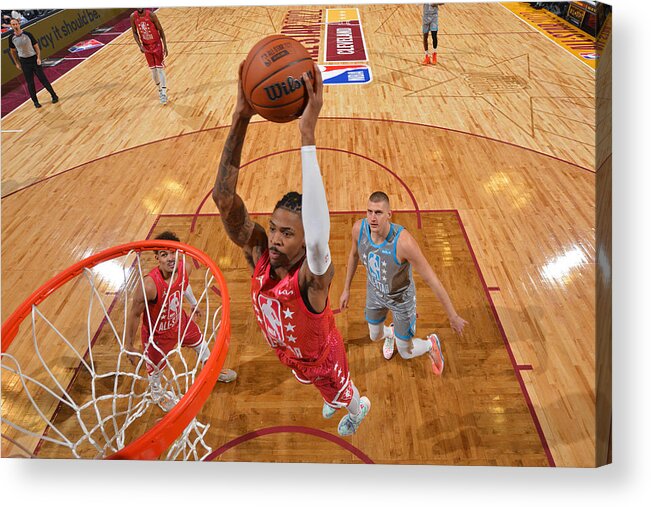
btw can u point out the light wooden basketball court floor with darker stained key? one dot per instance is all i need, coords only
(503, 181)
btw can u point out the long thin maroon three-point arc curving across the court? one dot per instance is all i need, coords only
(325, 118)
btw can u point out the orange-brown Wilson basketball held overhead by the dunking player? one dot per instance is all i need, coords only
(272, 78)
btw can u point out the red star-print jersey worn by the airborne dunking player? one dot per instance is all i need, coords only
(300, 338)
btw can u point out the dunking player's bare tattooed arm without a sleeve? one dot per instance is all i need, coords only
(245, 233)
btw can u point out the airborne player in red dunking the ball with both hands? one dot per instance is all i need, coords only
(291, 266)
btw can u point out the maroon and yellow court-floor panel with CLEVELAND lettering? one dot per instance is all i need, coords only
(344, 36)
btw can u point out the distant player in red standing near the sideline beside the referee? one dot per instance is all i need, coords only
(150, 38)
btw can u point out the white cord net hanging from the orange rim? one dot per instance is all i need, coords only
(68, 386)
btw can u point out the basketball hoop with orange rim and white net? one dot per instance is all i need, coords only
(68, 384)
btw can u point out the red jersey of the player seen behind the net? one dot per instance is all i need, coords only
(169, 310)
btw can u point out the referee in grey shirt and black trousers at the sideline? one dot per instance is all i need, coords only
(27, 55)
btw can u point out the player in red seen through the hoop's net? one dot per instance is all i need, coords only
(164, 301)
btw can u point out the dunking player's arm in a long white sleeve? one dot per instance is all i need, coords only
(315, 214)
